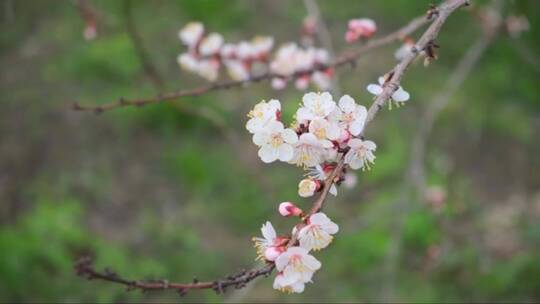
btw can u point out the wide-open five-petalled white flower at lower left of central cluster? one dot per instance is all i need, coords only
(276, 142)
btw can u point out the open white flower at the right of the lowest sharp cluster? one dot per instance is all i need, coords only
(317, 234)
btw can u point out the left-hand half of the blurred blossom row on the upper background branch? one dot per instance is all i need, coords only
(206, 54)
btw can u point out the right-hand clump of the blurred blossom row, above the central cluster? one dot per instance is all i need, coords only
(291, 60)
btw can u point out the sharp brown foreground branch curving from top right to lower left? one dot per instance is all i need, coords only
(85, 267)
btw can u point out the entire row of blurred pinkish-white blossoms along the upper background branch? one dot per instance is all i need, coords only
(207, 53)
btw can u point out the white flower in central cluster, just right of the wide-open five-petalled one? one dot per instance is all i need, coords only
(308, 151)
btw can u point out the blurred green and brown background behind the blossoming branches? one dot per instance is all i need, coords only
(176, 190)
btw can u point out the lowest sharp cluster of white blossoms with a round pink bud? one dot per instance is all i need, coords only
(294, 262)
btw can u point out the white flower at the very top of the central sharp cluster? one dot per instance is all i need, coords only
(315, 105)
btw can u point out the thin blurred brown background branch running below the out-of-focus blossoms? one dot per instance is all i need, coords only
(348, 58)
